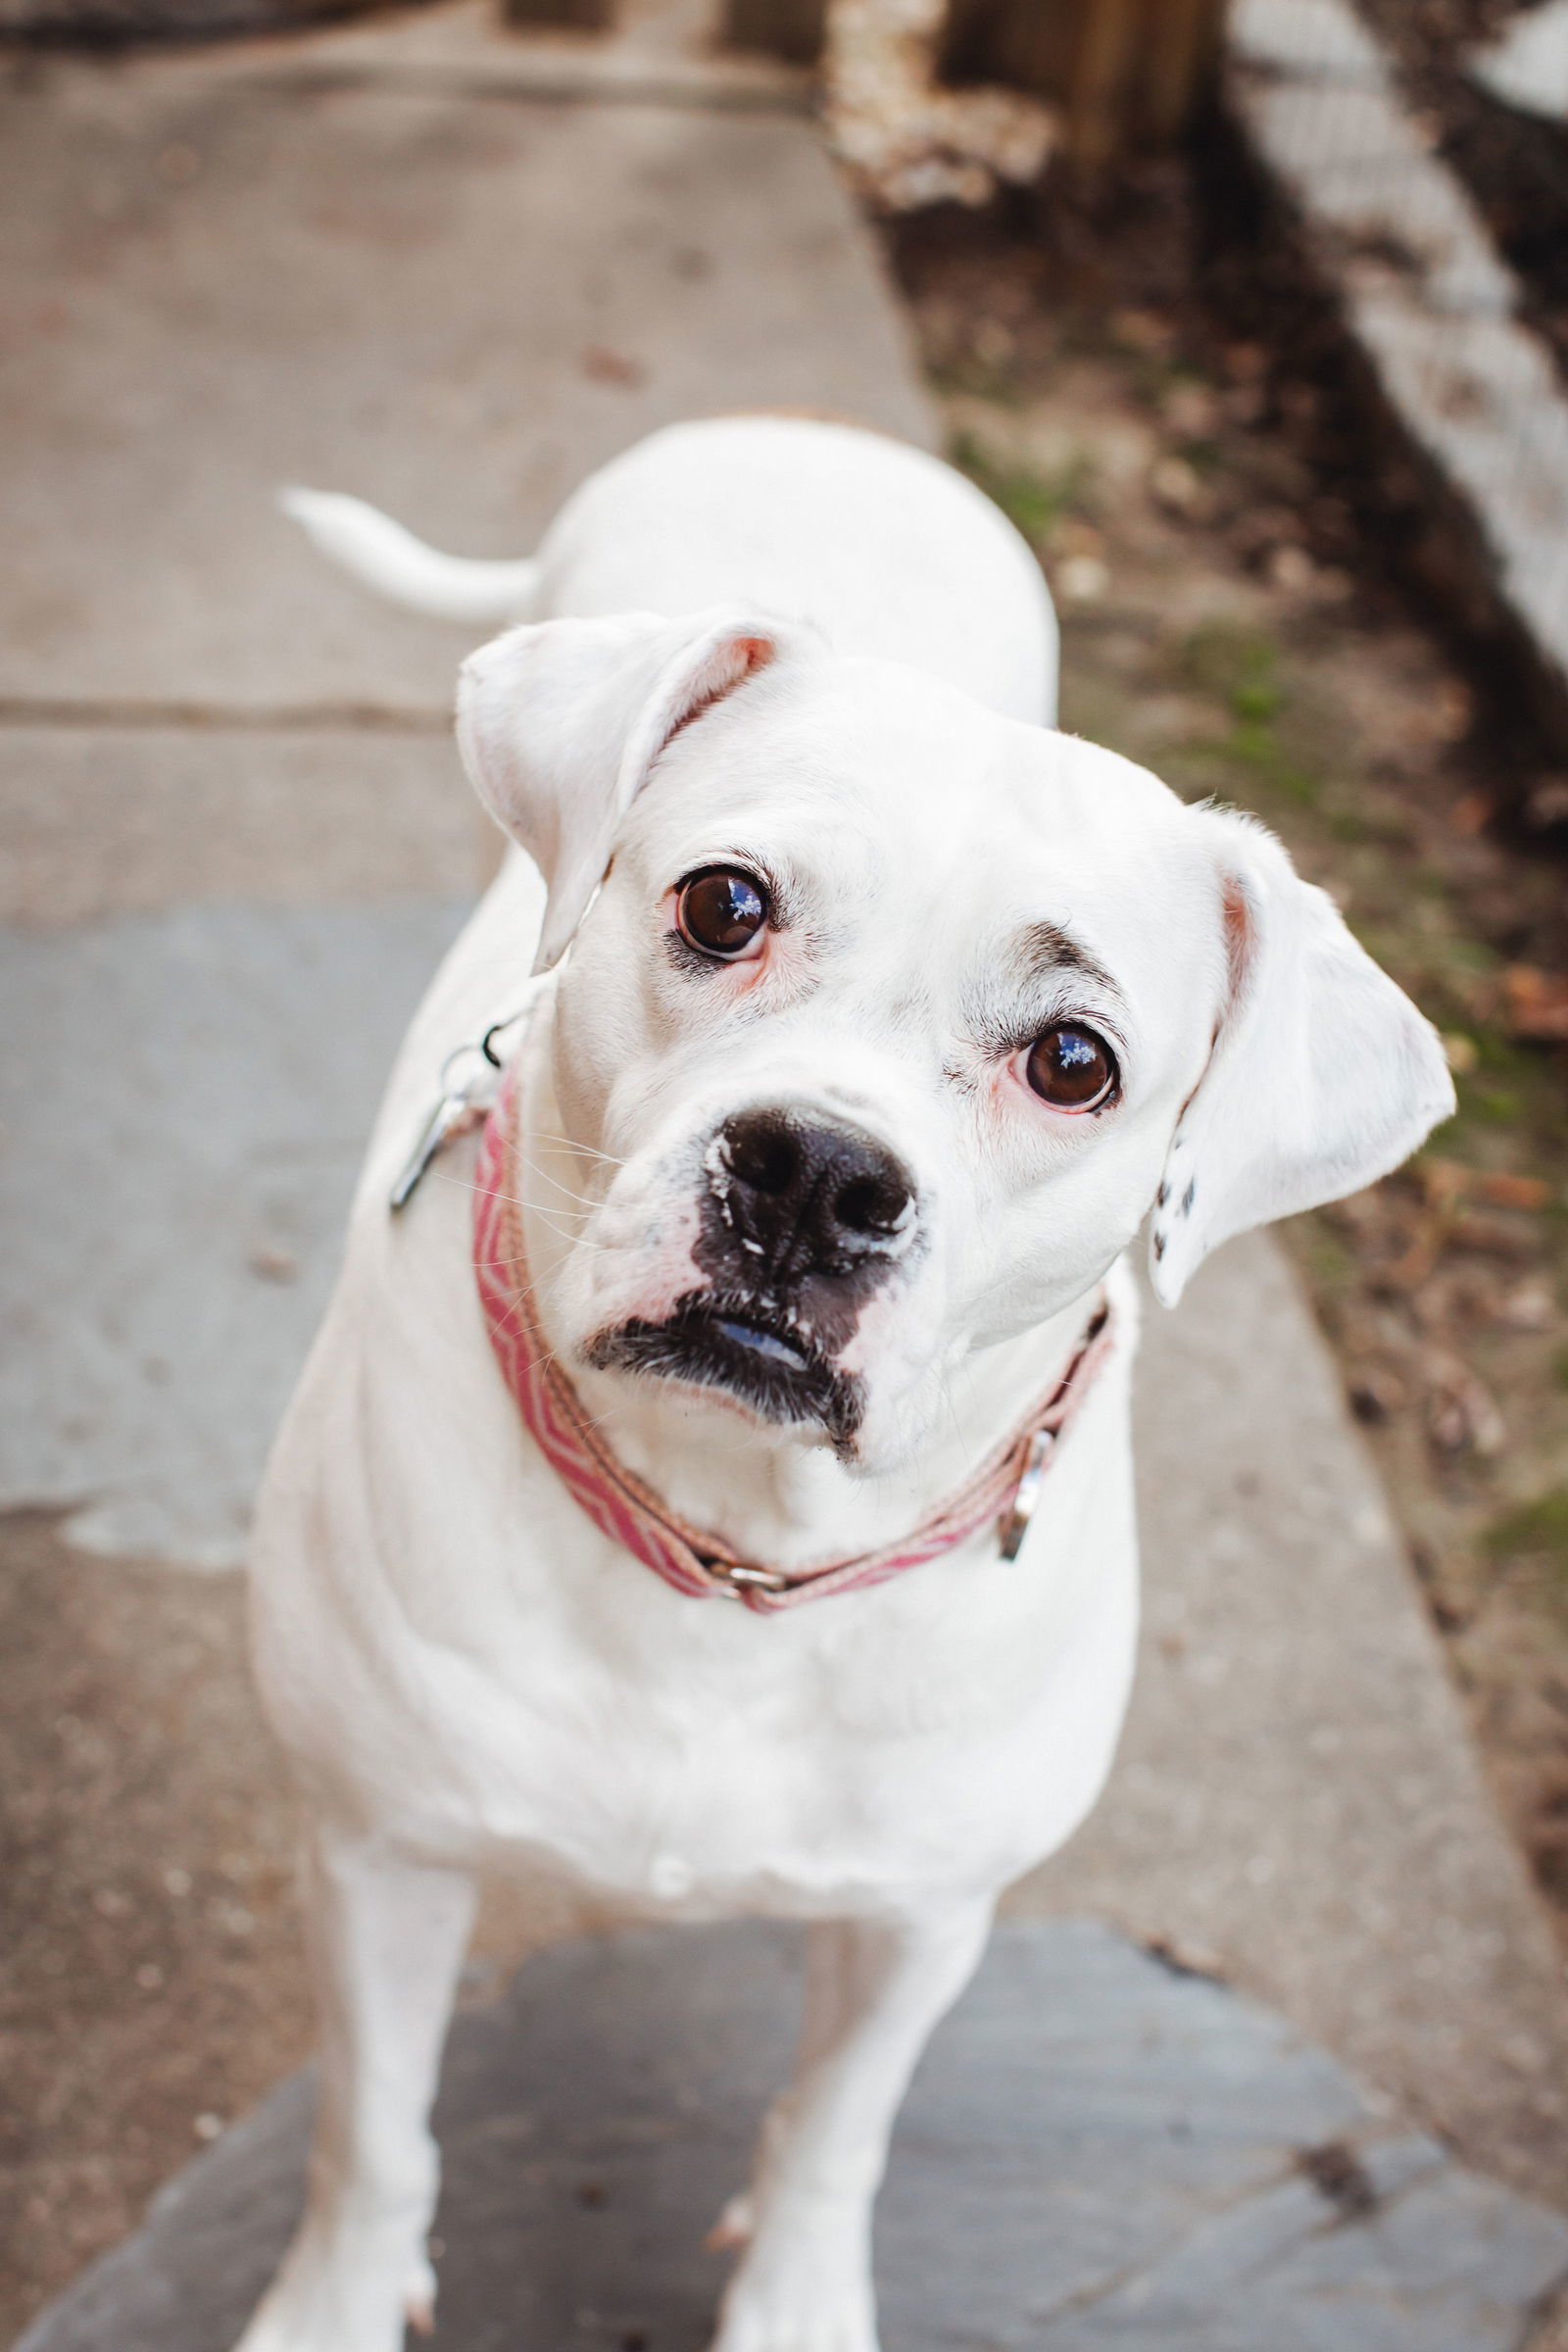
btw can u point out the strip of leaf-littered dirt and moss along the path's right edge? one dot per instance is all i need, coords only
(1228, 620)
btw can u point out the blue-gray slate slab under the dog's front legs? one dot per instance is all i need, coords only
(1094, 2153)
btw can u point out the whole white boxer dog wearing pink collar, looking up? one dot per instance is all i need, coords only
(711, 1490)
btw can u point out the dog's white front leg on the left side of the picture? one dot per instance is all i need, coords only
(389, 1942)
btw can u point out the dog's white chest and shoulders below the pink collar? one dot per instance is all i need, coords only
(462, 1657)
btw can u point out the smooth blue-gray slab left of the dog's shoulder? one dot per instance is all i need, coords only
(185, 1104)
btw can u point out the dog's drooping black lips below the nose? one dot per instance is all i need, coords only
(702, 1342)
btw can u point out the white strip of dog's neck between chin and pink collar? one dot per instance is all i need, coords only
(772, 1492)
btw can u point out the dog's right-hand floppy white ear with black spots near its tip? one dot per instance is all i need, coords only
(1322, 1074)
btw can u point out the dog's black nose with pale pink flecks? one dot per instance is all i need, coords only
(808, 1198)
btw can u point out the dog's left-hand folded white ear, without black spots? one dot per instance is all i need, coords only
(563, 721)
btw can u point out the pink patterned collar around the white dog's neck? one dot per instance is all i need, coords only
(622, 1506)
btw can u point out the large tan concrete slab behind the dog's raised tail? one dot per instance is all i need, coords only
(453, 307)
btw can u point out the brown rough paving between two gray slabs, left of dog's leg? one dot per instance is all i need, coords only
(154, 1984)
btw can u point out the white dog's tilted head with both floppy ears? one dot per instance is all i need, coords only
(887, 1022)
